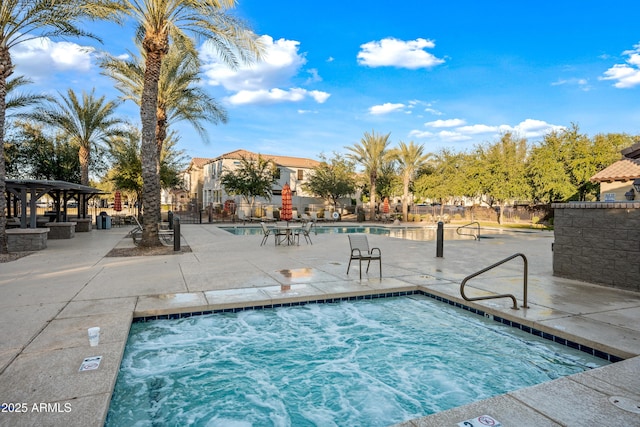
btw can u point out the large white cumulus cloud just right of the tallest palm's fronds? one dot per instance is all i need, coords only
(267, 81)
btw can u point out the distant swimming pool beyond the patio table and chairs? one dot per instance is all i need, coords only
(409, 233)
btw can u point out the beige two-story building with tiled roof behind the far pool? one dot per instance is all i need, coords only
(294, 170)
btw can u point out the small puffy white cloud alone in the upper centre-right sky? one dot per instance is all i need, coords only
(398, 53)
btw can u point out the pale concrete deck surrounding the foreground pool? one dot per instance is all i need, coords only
(49, 299)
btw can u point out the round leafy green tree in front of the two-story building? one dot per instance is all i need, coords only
(252, 178)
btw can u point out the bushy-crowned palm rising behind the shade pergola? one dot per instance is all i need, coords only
(86, 123)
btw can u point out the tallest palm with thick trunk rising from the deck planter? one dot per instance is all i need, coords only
(159, 23)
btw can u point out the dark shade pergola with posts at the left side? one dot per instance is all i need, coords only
(25, 193)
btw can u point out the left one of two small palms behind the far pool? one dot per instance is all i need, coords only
(371, 153)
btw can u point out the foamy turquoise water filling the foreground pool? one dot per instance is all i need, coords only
(369, 362)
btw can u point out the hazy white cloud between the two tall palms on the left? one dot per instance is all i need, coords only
(40, 57)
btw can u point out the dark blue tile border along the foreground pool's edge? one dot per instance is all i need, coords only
(559, 340)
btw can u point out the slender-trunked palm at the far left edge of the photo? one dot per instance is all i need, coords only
(24, 20)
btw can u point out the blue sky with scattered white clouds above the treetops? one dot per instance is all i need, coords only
(444, 74)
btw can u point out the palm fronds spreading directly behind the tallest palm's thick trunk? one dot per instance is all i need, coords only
(179, 97)
